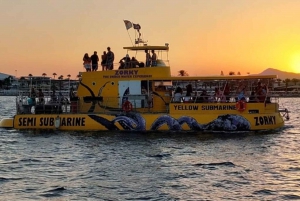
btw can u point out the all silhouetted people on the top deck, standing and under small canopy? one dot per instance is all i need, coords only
(90, 63)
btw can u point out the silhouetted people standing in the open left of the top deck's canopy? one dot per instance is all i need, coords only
(91, 63)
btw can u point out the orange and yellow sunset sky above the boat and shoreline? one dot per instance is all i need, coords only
(205, 36)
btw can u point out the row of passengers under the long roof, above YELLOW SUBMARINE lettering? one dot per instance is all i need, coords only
(258, 94)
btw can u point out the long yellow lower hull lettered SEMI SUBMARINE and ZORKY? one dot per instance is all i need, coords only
(133, 121)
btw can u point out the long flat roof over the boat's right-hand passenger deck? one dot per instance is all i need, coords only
(229, 77)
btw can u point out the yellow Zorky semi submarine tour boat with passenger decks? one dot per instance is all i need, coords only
(138, 98)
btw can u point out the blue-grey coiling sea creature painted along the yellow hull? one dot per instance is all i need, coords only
(135, 122)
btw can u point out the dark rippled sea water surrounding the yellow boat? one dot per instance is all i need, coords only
(153, 166)
